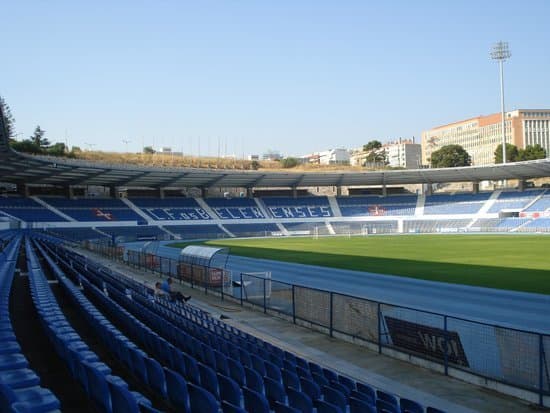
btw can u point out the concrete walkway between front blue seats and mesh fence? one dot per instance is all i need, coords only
(402, 378)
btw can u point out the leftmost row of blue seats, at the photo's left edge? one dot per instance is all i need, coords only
(20, 389)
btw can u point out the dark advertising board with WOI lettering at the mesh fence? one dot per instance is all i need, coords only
(427, 340)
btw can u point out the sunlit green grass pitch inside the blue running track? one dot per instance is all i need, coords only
(512, 262)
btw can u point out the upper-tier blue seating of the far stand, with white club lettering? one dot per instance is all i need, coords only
(169, 209)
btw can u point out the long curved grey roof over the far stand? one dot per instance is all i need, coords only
(20, 168)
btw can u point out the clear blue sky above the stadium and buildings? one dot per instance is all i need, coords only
(295, 76)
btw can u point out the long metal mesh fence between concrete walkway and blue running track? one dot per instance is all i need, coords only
(511, 356)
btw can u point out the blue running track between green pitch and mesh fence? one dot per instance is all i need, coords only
(506, 308)
